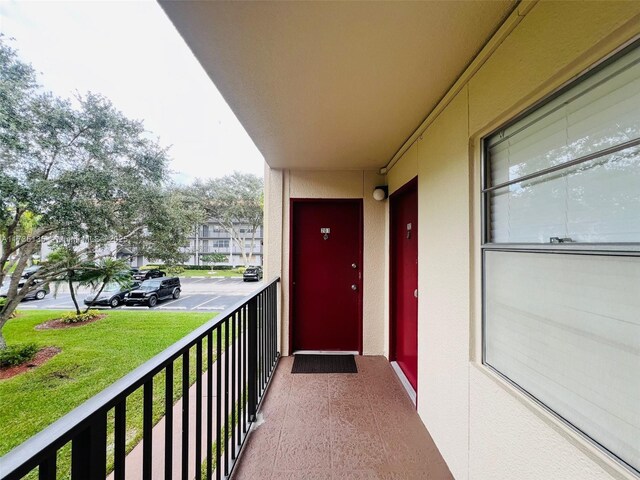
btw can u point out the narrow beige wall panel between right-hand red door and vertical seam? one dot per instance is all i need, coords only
(443, 277)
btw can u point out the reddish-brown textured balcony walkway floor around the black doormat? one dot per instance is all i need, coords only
(340, 426)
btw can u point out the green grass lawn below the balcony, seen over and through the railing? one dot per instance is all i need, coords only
(93, 356)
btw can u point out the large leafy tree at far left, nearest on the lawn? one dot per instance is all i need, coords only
(79, 174)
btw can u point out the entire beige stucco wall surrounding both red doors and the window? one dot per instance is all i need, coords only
(484, 428)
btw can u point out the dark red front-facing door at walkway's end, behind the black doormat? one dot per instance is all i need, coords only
(326, 275)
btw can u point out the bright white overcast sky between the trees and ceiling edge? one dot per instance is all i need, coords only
(130, 52)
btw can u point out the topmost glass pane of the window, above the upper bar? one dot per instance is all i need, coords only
(601, 112)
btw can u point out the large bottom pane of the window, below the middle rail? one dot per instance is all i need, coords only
(566, 328)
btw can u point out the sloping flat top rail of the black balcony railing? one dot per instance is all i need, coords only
(61, 431)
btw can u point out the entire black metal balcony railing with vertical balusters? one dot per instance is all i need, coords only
(235, 357)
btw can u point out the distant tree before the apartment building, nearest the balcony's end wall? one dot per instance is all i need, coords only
(235, 202)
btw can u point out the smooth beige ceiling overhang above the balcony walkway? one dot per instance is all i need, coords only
(334, 85)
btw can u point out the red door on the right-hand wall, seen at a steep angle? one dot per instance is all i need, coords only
(404, 280)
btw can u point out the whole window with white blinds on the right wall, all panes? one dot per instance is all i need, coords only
(561, 255)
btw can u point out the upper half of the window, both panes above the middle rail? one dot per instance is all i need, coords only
(587, 140)
